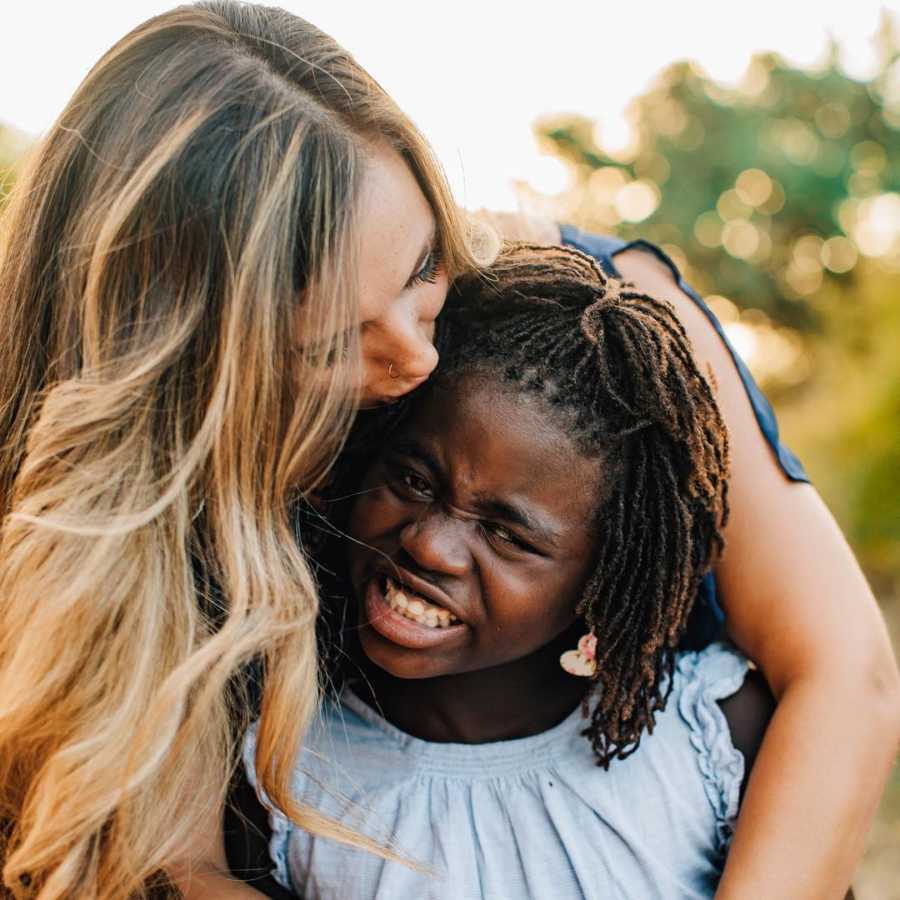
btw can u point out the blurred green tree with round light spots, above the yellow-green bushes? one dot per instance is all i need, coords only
(734, 179)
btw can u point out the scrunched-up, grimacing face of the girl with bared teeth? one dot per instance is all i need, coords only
(482, 512)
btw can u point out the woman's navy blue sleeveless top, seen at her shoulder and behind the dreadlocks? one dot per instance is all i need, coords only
(707, 617)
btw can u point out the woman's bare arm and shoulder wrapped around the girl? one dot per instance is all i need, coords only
(798, 604)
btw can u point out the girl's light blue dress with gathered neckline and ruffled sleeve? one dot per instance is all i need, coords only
(527, 818)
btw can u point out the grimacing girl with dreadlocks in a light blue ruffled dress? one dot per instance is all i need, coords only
(545, 508)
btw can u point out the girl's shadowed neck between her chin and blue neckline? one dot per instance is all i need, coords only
(525, 697)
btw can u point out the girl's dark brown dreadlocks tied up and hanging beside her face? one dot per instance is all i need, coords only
(617, 366)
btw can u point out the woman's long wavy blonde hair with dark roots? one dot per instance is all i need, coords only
(191, 212)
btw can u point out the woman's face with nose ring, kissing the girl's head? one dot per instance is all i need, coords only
(403, 282)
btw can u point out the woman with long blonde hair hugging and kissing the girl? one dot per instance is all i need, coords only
(228, 207)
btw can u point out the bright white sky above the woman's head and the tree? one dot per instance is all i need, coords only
(474, 74)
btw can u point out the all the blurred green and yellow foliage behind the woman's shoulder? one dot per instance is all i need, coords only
(779, 197)
